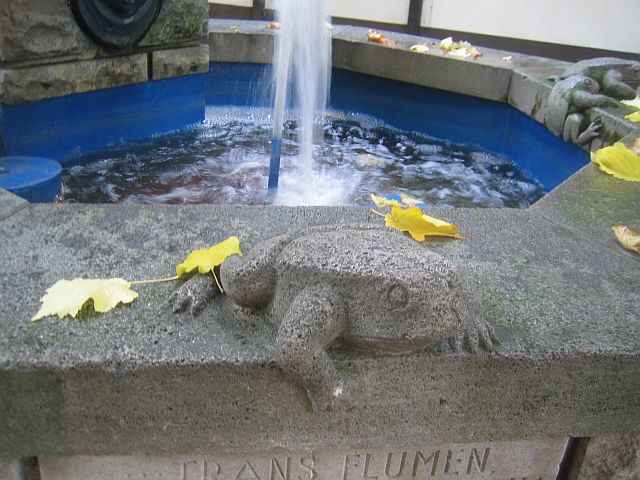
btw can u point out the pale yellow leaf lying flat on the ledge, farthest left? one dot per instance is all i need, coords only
(67, 297)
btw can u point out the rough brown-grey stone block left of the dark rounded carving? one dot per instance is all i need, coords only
(32, 32)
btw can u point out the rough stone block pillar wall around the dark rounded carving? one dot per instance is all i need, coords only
(45, 54)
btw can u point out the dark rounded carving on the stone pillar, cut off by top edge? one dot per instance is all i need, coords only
(115, 24)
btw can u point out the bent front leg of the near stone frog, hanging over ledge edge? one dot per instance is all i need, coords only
(314, 320)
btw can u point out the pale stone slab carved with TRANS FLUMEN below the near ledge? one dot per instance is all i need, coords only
(537, 459)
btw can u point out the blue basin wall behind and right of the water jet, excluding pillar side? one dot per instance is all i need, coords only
(461, 119)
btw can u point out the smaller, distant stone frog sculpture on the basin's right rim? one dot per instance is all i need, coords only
(598, 82)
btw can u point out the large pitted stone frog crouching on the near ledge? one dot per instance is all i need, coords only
(370, 288)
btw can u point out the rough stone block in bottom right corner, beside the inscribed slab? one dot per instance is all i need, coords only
(615, 457)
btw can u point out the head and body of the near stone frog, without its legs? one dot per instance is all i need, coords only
(396, 294)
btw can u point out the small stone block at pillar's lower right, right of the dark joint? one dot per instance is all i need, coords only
(180, 61)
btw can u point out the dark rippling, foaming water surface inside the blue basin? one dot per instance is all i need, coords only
(226, 160)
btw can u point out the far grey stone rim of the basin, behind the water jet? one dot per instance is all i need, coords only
(521, 81)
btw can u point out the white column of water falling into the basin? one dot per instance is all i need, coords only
(302, 76)
